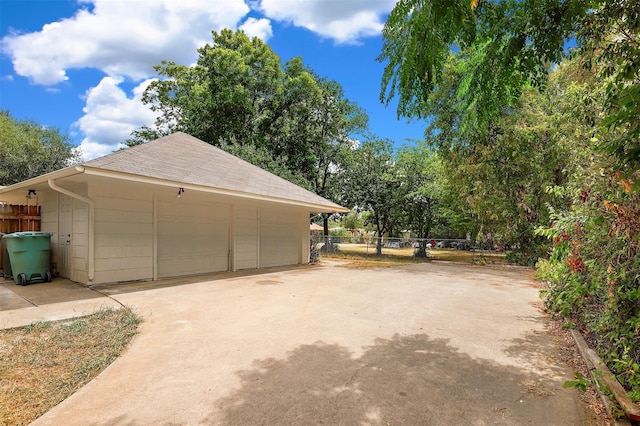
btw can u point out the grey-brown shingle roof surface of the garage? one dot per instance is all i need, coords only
(184, 159)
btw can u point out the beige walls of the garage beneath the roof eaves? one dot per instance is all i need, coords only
(144, 232)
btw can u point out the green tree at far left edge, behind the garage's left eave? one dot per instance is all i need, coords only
(28, 149)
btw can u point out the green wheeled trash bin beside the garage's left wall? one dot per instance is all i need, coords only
(30, 256)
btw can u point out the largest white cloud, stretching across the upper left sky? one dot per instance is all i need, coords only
(122, 37)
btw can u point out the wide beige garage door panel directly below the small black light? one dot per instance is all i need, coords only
(193, 238)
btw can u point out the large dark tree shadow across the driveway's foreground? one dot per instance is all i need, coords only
(405, 380)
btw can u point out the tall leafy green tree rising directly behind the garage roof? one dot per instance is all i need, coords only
(238, 94)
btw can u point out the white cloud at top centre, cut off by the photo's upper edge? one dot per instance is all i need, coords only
(345, 21)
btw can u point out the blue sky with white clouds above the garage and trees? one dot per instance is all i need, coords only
(81, 65)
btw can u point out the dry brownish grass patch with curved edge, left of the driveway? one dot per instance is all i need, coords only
(45, 362)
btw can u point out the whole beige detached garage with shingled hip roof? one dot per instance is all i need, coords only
(171, 207)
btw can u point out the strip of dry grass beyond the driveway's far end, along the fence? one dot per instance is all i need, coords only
(362, 256)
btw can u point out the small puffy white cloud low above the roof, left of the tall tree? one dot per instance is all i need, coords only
(110, 116)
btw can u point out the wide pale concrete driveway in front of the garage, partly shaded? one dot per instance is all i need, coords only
(429, 344)
